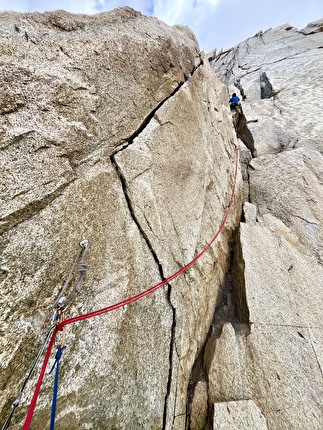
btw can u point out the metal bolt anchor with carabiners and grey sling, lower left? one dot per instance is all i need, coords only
(58, 317)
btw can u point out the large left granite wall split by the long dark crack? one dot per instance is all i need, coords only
(112, 130)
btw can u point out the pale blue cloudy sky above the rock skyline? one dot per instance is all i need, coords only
(216, 23)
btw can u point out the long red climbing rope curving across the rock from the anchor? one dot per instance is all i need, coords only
(125, 302)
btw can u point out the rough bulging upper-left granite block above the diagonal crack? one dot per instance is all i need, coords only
(62, 94)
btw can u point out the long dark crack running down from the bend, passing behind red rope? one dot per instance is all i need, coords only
(169, 288)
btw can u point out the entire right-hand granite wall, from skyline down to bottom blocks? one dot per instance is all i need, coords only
(272, 353)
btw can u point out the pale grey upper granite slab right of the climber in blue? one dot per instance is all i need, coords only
(279, 71)
